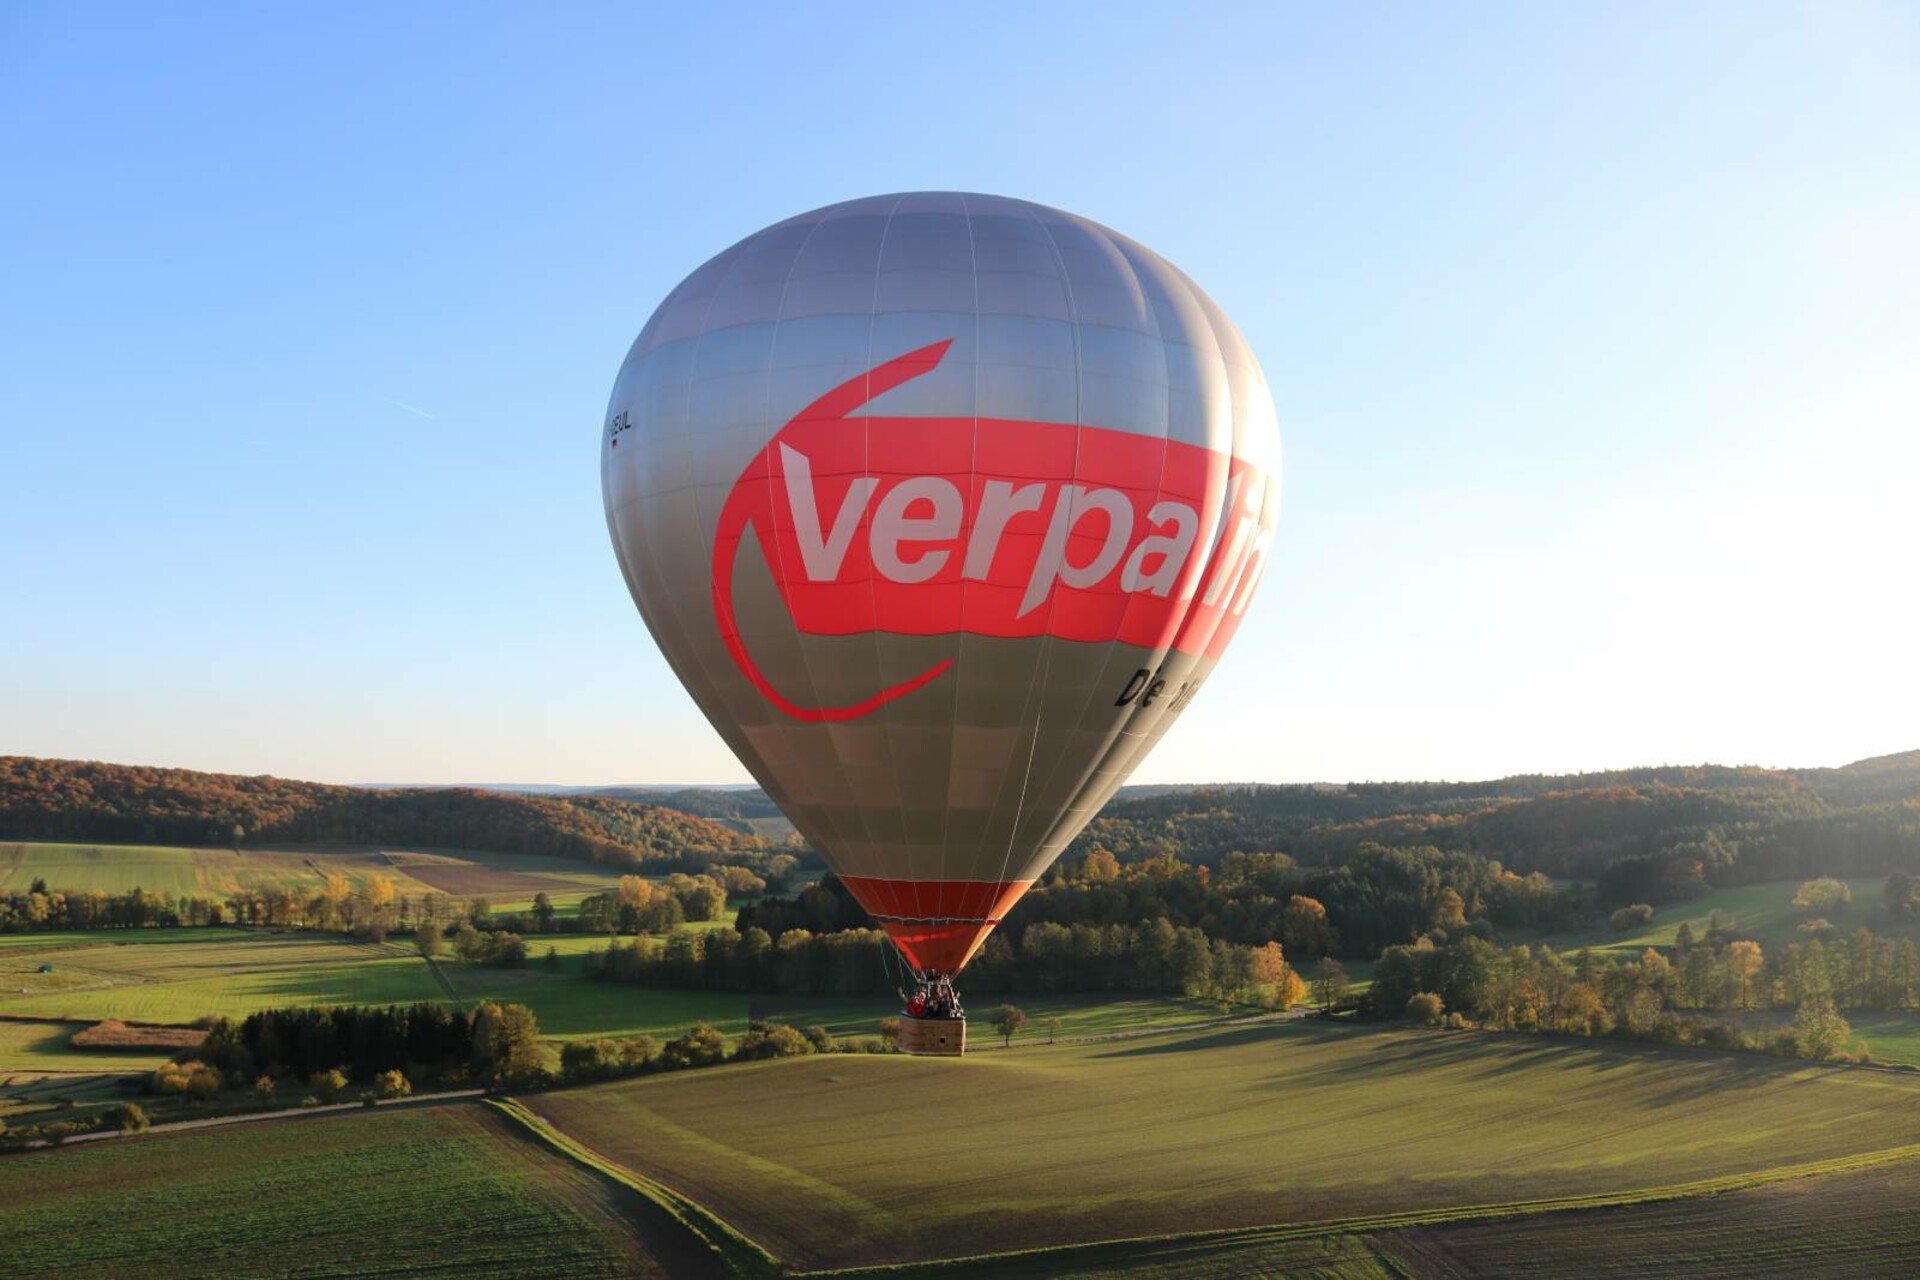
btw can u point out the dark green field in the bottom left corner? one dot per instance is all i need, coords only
(396, 1195)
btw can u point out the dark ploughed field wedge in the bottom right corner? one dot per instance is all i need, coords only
(1817, 1229)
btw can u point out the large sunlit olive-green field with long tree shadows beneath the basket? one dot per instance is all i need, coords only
(871, 1160)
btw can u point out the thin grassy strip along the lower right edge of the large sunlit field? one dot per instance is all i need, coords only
(1128, 1248)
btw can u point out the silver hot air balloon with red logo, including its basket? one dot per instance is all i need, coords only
(942, 508)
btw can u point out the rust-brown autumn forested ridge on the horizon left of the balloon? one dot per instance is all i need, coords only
(87, 801)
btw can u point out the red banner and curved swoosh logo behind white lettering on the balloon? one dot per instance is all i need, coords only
(1013, 590)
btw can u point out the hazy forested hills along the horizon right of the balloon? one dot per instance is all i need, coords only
(1771, 822)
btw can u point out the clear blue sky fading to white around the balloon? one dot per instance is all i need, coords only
(1593, 333)
